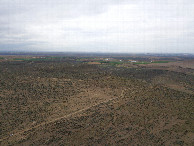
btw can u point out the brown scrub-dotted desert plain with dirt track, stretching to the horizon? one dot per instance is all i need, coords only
(96, 99)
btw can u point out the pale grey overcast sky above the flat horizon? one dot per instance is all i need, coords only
(148, 26)
